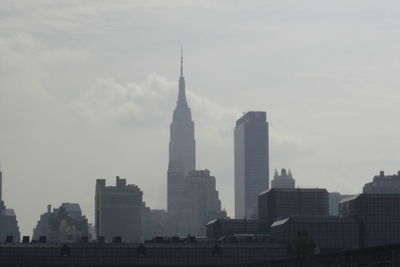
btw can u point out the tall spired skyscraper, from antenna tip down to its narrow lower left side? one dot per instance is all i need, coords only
(182, 152)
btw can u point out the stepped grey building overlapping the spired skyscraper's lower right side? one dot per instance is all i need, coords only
(200, 203)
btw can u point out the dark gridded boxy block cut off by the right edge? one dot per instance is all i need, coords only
(378, 216)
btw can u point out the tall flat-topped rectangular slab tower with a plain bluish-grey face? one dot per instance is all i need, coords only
(251, 162)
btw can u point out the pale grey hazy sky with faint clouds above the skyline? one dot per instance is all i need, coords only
(87, 90)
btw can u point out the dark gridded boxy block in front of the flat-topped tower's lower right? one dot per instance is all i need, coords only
(281, 203)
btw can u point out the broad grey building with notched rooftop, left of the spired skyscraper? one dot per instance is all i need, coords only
(118, 210)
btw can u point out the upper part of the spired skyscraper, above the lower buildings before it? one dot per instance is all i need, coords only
(182, 145)
